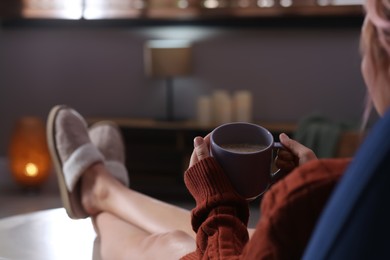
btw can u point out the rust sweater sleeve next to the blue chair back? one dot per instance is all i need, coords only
(290, 209)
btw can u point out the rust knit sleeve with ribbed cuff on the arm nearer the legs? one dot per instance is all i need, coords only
(220, 216)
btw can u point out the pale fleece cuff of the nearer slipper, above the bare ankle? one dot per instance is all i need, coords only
(82, 158)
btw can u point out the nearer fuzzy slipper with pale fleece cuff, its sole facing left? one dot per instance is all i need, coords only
(72, 153)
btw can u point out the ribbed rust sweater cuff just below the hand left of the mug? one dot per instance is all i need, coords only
(206, 179)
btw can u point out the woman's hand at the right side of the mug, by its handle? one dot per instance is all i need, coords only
(294, 155)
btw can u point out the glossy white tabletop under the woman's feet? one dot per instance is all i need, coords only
(47, 235)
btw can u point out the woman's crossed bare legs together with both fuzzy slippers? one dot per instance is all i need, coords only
(91, 177)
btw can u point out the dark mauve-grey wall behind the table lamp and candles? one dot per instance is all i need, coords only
(291, 71)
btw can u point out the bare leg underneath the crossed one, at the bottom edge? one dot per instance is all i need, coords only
(121, 240)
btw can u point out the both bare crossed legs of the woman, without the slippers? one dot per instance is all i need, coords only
(131, 224)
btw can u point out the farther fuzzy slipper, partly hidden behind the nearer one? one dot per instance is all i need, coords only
(106, 136)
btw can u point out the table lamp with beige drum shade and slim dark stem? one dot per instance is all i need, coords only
(168, 59)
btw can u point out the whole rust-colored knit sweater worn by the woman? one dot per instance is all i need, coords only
(289, 211)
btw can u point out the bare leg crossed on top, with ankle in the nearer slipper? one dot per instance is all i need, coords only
(103, 193)
